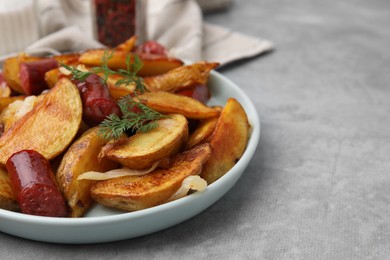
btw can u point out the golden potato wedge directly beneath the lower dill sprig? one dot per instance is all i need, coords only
(142, 150)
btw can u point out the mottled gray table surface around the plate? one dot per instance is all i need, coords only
(318, 186)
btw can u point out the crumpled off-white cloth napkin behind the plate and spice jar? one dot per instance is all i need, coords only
(66, 25)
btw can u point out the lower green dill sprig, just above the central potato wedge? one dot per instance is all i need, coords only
(136, 117)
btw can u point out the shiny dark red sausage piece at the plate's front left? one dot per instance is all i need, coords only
(34, 185)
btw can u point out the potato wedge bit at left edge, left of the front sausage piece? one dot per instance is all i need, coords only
(7, 197)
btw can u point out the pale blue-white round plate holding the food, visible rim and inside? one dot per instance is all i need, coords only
(103, 225)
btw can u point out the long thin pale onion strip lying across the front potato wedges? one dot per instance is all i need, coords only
(100, 176)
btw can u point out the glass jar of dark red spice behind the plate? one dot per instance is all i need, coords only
(115, 21)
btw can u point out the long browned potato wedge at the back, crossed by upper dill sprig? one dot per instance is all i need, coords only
(152, 64)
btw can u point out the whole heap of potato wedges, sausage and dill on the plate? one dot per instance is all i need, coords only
(127, 127)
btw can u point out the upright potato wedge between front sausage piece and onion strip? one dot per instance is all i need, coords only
(82, 156)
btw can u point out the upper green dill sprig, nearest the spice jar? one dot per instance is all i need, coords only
(129, 74)
